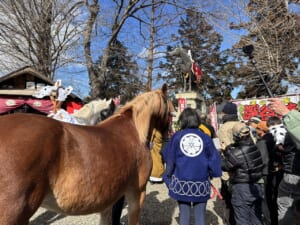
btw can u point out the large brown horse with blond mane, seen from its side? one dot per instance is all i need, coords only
(77, 170)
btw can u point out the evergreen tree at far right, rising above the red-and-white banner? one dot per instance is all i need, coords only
(273, 31)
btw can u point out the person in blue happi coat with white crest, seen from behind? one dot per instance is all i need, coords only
(191, 161)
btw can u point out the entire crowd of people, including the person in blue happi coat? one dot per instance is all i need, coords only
(257, 161)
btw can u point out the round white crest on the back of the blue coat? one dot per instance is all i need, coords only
(191, 145)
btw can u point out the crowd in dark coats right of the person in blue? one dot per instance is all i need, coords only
(260, 162)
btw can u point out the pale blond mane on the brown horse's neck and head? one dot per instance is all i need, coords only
(143, 107)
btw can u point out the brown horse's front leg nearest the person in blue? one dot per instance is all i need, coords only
(135, 203)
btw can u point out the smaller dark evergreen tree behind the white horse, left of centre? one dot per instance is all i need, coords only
(121, 74)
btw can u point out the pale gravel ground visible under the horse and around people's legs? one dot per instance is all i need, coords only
(158, 209)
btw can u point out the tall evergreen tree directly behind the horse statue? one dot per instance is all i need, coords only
(197, 35)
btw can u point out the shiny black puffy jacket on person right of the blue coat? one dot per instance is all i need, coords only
(244, 161)
